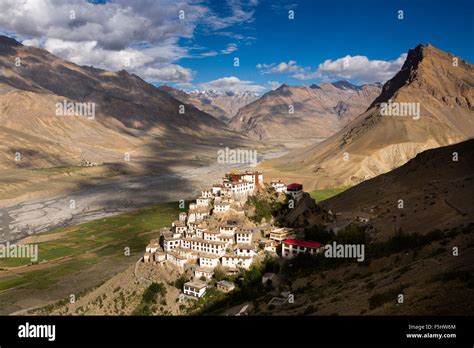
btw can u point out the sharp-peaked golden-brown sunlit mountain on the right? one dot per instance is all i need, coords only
(383, 138)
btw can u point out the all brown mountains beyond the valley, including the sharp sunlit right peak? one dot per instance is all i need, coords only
(365, 138)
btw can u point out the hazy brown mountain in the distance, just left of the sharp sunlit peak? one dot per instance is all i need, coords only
(294, 112)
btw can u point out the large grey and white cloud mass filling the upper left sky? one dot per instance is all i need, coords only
(138, 36)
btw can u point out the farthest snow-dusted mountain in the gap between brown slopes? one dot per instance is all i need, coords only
(222, 105)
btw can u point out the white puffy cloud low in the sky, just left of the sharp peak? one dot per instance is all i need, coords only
(358, 68)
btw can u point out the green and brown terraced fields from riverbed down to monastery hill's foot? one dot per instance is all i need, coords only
(75, 258)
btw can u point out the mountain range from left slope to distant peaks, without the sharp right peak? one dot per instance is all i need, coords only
(135, 117)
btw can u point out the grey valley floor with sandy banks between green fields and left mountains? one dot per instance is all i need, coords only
(69, 196)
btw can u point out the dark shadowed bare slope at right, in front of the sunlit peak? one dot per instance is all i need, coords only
(435, 190)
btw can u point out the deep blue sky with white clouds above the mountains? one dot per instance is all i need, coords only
(196, 44)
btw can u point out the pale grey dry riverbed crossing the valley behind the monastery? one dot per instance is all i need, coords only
(101, 197)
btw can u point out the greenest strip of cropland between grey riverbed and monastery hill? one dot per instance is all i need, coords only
(78, 248)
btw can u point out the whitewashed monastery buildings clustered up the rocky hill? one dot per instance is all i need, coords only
(201, 244)
